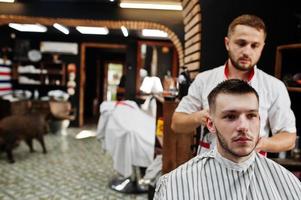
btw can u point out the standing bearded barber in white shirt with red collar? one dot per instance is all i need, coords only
(244, 42)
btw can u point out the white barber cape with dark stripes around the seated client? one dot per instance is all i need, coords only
(209, 176)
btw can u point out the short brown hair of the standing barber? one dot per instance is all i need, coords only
(247, 20)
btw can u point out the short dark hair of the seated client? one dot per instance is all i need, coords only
(231, 86)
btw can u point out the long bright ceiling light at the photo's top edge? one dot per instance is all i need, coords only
(151, 5)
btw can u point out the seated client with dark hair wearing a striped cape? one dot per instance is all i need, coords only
(233, 169)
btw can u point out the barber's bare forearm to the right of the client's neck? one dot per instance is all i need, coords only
(282, 141)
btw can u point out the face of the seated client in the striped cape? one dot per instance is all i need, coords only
(235, 121)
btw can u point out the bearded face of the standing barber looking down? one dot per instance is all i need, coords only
(244, 46)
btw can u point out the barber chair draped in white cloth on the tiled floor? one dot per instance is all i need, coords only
(128, 135)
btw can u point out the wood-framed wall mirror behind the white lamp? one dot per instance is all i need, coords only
(156, 58)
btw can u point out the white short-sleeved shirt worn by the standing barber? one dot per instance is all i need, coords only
(274, 102)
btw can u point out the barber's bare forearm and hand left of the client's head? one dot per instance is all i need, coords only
(186, 123)
